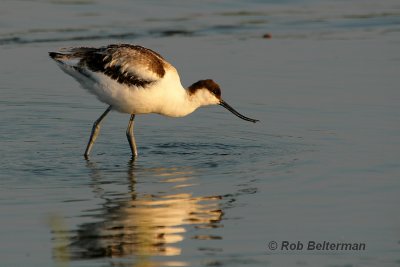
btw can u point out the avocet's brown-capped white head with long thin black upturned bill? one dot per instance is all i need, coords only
(208, 92)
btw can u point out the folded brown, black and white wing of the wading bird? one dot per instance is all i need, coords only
(132, 65)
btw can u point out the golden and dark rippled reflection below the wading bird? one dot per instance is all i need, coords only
(135, 224)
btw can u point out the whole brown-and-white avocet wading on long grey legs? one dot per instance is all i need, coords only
(135, 80)
